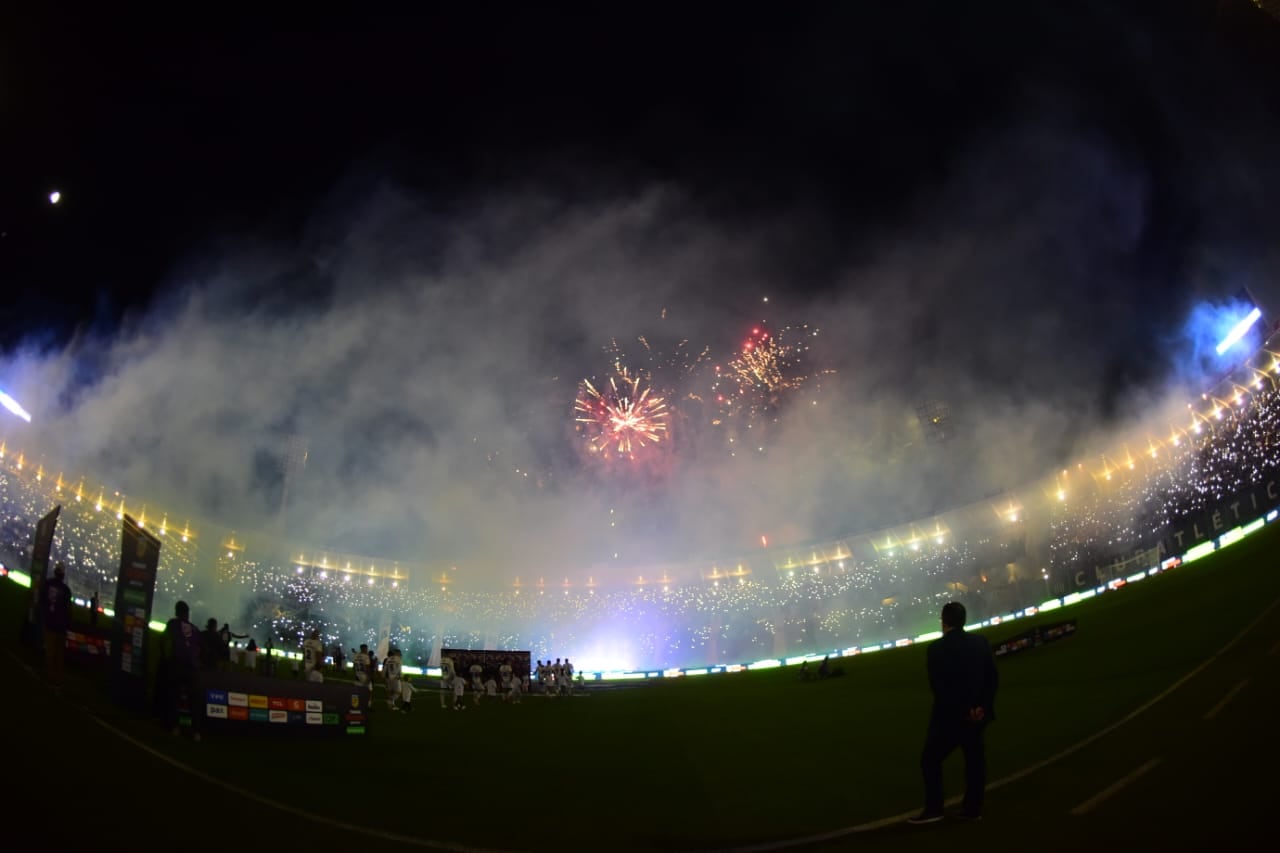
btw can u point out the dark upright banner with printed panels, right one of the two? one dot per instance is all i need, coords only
(135, 591)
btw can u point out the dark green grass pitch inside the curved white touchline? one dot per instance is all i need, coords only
(715, 761)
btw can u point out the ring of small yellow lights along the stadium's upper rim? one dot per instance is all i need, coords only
(1012, 514)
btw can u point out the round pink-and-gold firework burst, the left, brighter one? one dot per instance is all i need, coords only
(623, 418)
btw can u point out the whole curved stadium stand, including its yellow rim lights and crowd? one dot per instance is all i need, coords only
(1180, 486)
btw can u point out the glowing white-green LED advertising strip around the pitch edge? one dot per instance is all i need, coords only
(1191, 555)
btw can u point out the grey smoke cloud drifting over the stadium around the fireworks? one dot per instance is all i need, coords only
(1018, 304)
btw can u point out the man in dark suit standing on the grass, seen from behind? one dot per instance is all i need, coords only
(963, 678)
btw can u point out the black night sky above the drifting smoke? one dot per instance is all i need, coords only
(166, 142)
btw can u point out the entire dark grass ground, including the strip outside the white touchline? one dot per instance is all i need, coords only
(1149, 726)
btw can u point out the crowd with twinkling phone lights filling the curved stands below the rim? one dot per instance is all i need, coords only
(833, 604)
